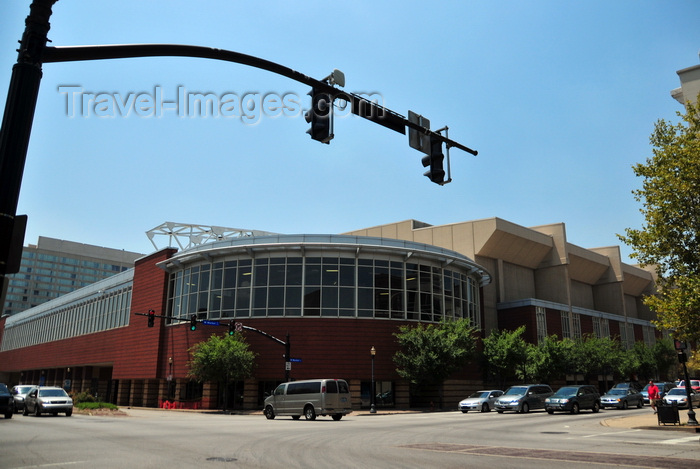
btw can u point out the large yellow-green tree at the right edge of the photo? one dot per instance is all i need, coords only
(669, 239)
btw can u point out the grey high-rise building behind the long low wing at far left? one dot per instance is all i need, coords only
(54, 267)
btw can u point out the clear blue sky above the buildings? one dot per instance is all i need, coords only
(559, 99)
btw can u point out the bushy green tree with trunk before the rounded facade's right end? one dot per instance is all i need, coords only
(429, 354)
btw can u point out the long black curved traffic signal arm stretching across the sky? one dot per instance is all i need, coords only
(361, 107)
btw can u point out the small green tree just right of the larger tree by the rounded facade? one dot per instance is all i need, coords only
(506, 354)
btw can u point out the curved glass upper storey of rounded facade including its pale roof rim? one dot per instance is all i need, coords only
(341, 278)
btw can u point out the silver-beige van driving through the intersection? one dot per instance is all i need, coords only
(310, 398)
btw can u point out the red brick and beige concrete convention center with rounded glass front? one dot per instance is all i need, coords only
(333, 303)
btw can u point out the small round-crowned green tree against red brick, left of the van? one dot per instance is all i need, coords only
(220, 359)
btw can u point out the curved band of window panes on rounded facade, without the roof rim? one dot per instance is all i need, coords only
(328, 286)
